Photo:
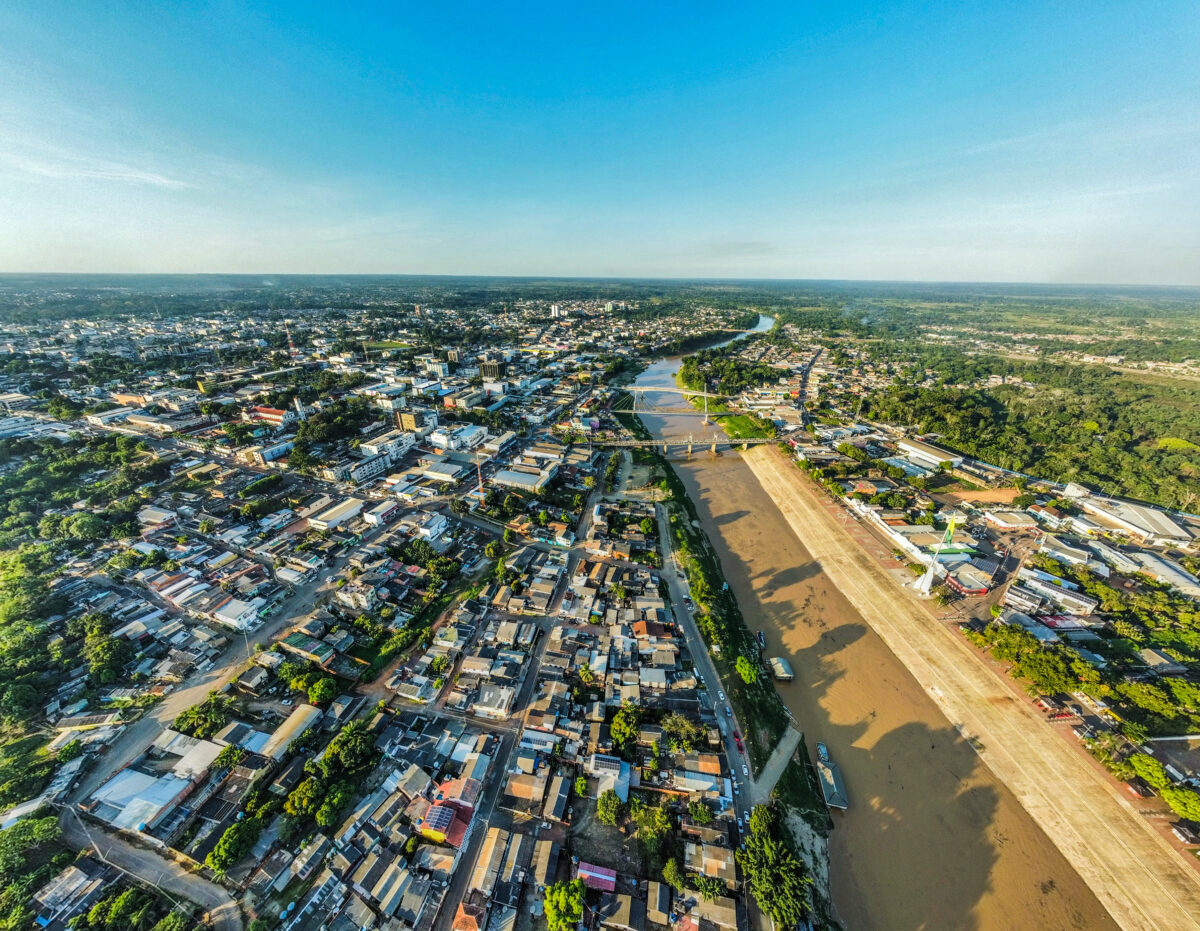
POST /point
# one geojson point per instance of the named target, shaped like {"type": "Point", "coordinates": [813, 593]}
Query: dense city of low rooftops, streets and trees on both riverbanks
{"type": "Point", "coordinates": [382, 612]}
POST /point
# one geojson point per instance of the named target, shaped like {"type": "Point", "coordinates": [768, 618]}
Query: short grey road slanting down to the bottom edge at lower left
{"type": "Point", "coordinates": [151, 868]}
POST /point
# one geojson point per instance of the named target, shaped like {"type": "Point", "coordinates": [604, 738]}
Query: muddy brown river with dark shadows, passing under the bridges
{"type": "Point", "coordinates": [932, 839]}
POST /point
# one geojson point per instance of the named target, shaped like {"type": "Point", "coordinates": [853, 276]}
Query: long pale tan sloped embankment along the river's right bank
{"type": "Point", "coordinates": [1131, 868]}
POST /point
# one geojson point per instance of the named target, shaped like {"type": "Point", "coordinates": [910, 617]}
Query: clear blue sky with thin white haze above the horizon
{"type": "Point", "coordinates": [958, 141]}
